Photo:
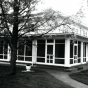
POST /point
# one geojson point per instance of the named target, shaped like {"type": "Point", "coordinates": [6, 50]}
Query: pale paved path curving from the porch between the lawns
{"type": "Point", "coordinates": [64, 76]}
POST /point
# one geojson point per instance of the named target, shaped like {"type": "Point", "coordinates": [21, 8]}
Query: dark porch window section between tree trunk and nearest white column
{"type": "Point", "coordinates": [25, 51]}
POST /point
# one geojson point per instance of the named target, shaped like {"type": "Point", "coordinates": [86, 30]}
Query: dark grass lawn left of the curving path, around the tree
{"type": "Point", "coordinates": [37, 79]}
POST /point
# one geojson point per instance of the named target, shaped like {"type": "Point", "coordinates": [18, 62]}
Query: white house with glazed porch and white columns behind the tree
{"type": "Point", "coordinates": [66, 46]}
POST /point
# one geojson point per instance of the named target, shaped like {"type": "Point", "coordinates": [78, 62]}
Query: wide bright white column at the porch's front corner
{"type": "Point", "coordinates": [67, 52]}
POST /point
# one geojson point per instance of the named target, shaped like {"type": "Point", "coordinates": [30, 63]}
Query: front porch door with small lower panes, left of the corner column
{"type": "Point", "coordinates": [50, 54]}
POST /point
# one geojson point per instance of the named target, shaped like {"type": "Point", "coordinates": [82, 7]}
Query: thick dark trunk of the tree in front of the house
{"type": "Point", "coordinates": [14, 39]}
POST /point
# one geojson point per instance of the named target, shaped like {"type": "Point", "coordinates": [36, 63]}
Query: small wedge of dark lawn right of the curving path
{"type": "Point", "coordinates": [80, 76]}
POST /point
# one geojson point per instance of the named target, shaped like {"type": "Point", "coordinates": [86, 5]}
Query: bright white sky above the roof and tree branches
{"type": "Point", "coordinates": [67, 7]}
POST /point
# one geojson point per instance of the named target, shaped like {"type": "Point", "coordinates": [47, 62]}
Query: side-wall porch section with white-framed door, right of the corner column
{"type": "Point", "coordinates": [75, 52]}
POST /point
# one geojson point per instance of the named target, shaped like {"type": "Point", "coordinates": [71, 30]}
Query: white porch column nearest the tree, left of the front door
{"type": "Point", "coordinates": [34, 51]}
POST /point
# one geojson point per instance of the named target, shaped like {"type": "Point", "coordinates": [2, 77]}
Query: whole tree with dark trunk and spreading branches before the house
{"type": "Point", "coordinates": [17, 20]}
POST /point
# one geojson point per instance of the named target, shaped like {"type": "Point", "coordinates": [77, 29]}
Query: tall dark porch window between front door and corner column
{"type": "Point", "coordinates": [59, 51]}
